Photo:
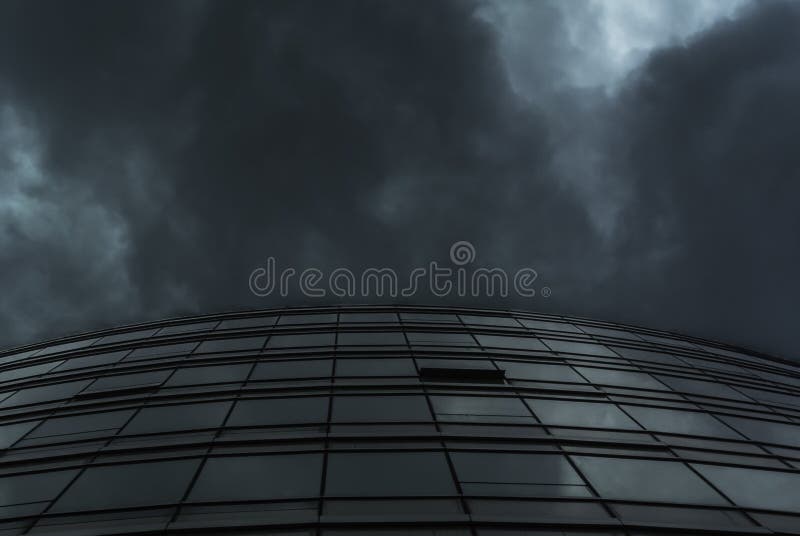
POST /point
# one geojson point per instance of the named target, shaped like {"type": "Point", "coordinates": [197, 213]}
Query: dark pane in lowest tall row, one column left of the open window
{"type": "Point", "coordinates": [388, 473]}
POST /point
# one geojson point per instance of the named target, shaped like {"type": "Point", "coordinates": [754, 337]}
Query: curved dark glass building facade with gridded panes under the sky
{"type": "Point", "coordinates": [396, 420]}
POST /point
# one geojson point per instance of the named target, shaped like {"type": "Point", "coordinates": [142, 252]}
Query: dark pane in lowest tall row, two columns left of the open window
{"type": "Point", "coordinates": [244, 478]}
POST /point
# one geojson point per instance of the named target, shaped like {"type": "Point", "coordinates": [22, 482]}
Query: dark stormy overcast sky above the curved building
{"type": "Point", "coordinates": [640, 155]}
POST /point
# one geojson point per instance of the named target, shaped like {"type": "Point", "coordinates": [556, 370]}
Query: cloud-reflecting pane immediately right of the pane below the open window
{"type": "Point", "coordinates": [575, 413]}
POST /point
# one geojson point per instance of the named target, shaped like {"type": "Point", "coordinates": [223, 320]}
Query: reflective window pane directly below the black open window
{"type": "Point", "coordinates": [484, 408]}
